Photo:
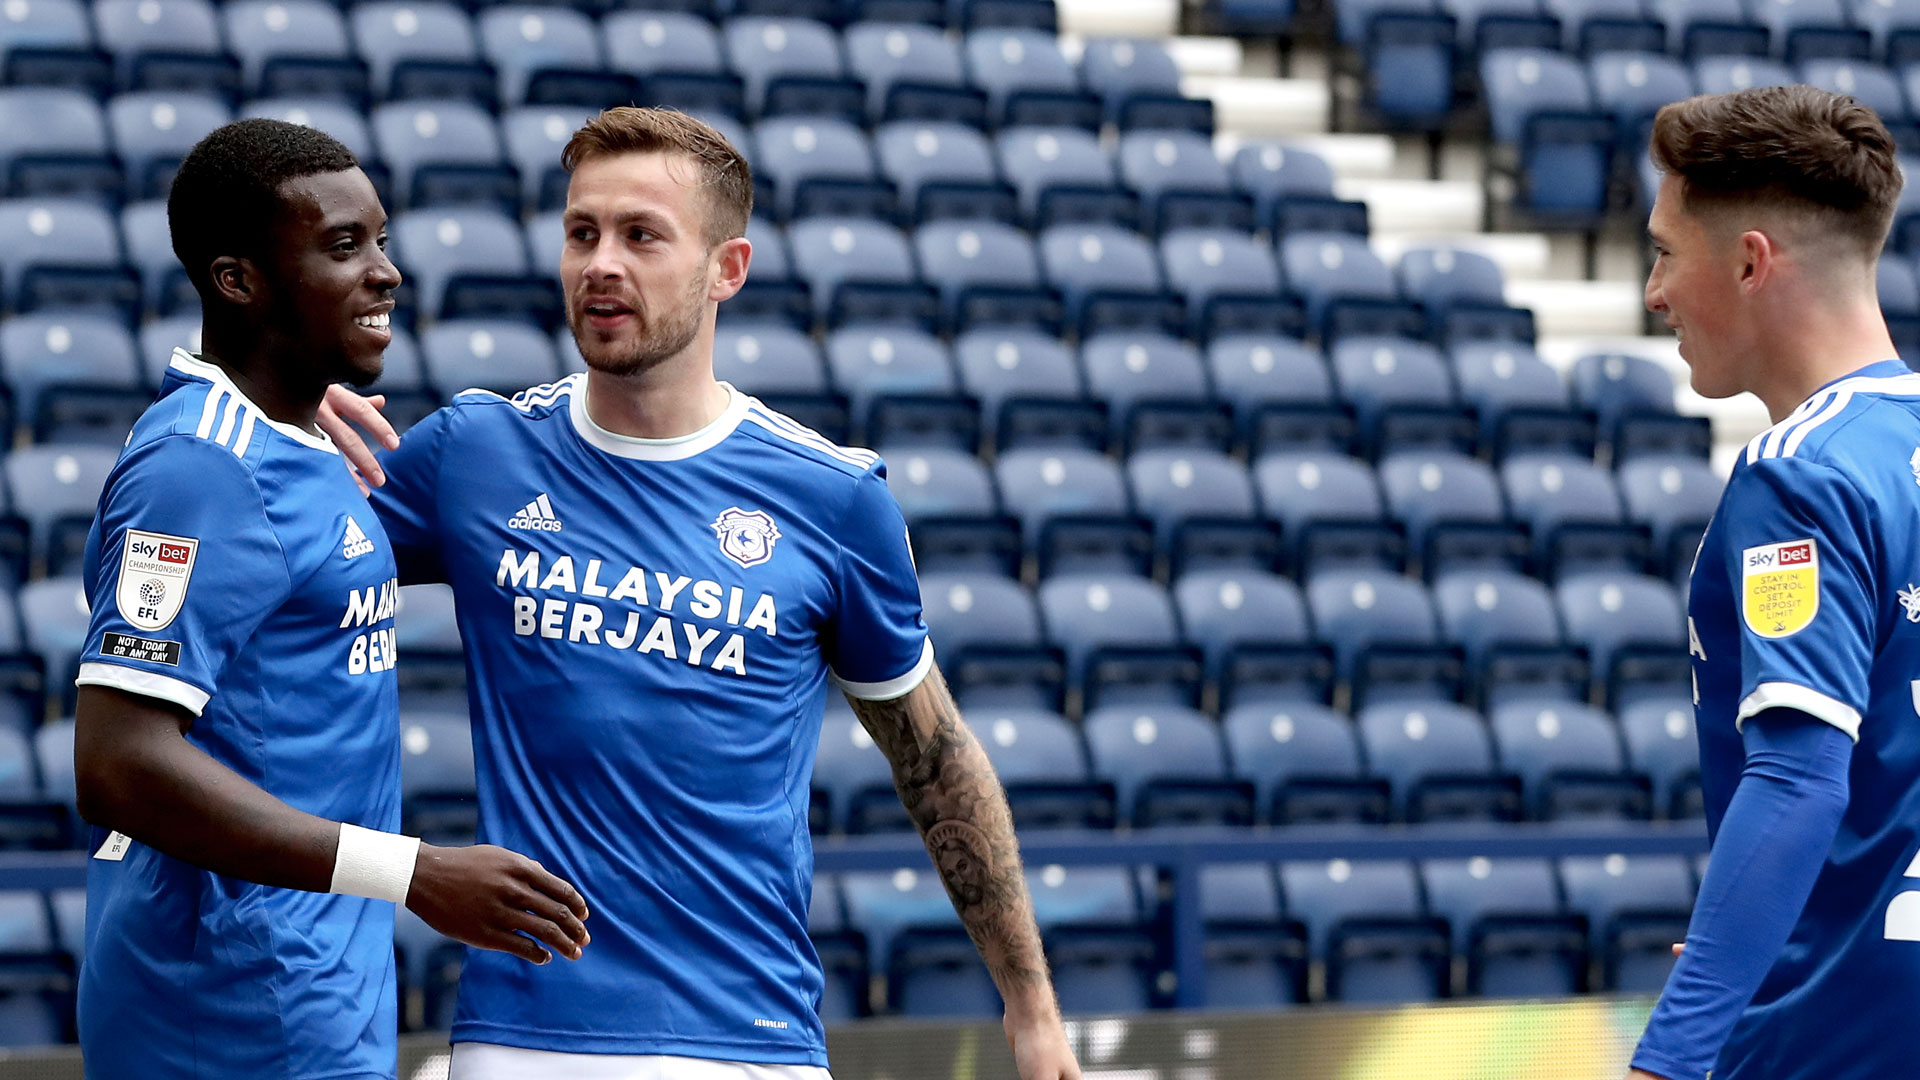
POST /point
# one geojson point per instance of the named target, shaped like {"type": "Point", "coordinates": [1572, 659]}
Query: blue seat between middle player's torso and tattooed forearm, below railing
{"type": "Point", "coordinates": [915, 937]}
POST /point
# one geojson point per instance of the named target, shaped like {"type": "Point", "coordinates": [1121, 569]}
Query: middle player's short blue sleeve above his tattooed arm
{"type": "Point", "coordinates": [878, 637]}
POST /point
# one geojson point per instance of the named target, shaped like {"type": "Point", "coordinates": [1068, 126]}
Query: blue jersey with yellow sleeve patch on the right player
{"type": "Point", "coordinates": [1808, 597]}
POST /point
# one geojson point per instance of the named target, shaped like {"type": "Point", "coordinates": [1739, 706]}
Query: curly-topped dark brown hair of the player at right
{"type": "Point", "coordinates": [1792, 147]}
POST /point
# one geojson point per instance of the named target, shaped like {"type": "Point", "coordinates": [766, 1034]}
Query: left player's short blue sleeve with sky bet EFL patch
{"type": "Point", "coordinates": [189, 568]}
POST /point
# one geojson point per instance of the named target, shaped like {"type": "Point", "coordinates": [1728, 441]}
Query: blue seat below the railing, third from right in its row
{"type": "Point", "coordinates": [1370, 927]}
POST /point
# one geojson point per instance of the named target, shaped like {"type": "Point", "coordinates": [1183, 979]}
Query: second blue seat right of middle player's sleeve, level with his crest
{"type": "Point", "coordinates": [1074, 510]}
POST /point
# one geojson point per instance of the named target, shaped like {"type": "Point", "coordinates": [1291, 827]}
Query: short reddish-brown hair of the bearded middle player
{"type": "Point", "coordinates": [725, 172]}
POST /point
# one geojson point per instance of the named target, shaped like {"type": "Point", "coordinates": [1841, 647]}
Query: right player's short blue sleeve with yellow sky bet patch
{"type": "Point", "coordinates": [1804, 583]}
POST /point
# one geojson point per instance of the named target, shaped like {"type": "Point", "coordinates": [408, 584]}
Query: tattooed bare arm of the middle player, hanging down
{"type": "Point", "coordinates": [959, 806]}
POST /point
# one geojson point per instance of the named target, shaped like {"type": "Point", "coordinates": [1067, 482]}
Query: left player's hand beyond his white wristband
{"type": "Point", "coordinates": [498, 900]}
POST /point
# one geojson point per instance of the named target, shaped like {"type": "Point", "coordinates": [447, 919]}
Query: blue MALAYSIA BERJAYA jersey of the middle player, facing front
{"type": "Point", "coordinates": [650, 629]}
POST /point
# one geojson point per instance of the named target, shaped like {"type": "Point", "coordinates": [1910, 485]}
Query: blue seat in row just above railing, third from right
{"type": "Point", "coordinates": [1439, 760]}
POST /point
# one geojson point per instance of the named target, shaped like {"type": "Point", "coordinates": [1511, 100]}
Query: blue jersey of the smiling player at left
{"type": "Point", "coordinates": [237, 572]}
